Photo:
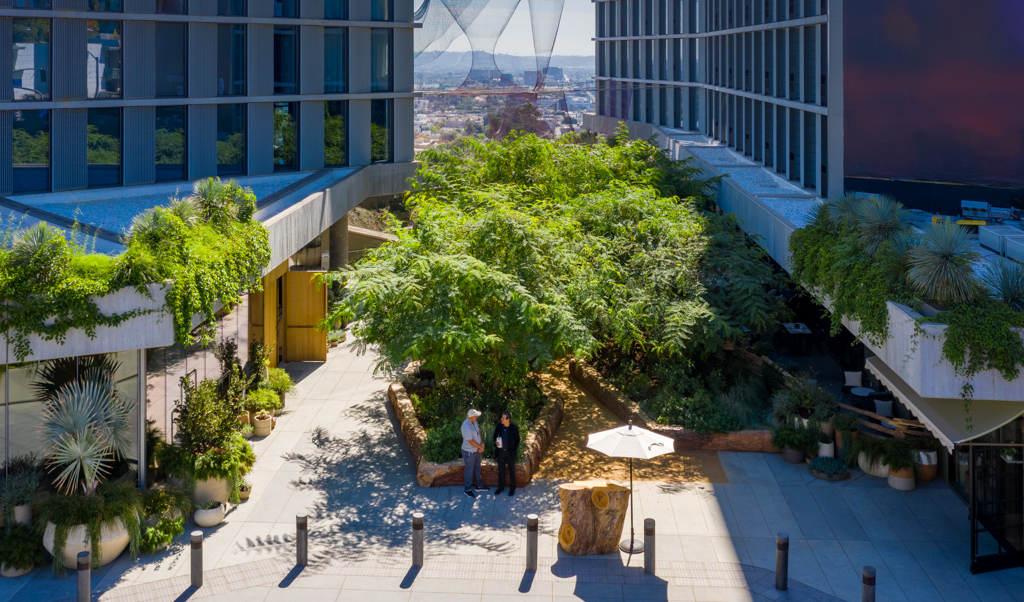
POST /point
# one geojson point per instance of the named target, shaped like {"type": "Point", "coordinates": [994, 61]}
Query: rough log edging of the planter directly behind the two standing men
{"type": "Point", "coordinates": [430, 475]}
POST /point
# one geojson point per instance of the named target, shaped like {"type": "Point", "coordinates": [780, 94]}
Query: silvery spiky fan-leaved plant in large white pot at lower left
{"type": "Point", "coordinates": [88, 424]}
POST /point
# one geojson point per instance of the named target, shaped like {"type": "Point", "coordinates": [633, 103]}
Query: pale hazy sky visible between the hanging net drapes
{"type": "Point", "coordinates": [575, 32]}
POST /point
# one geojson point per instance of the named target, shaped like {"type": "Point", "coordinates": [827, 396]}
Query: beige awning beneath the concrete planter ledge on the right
{"type": "Point", "coordinates": [946, 417]}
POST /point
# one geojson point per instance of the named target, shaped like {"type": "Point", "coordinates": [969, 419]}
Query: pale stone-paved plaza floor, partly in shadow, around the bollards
{"type": "Point", "coordinates": [336, 457]}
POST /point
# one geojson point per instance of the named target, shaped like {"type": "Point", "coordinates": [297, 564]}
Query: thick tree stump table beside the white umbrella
{"type": "Point", "coordinates": [593, 514]}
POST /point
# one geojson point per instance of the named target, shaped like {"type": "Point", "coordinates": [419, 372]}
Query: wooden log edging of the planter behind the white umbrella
{"type": "Point", "coordinates": [626, 410]}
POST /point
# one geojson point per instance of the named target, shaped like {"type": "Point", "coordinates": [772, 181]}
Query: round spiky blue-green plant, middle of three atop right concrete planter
{"type": "Point", "coordinates": [942, 266]}
